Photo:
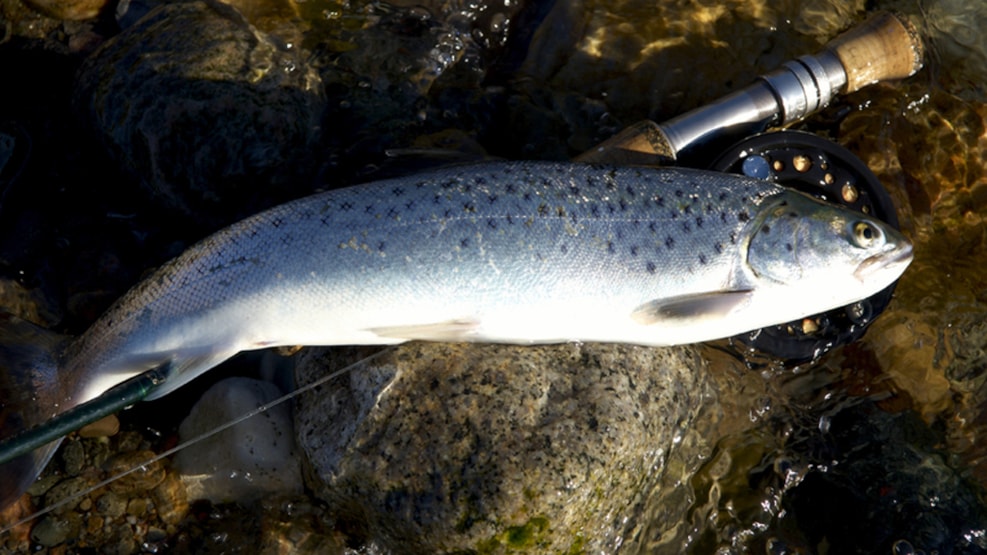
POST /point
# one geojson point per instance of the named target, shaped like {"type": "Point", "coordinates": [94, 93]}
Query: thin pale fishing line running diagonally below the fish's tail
{"type": "Point", "coordinates": [197, 439]}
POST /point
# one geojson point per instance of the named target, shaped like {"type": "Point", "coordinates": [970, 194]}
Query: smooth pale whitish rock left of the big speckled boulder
{"type": "Point", "coordinates": [247, 461]}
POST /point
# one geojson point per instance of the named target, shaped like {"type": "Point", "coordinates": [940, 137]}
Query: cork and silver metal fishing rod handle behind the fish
{"type": "Point", "coordinates": [885, 47]}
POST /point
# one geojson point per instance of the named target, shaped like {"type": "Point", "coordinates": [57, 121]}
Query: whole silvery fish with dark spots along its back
{"type": "Point", "coordinates": [506, 252]}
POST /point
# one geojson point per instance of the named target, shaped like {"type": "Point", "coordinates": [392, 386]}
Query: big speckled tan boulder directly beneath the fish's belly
{"type": "Point", "coordinates": [447, 448]}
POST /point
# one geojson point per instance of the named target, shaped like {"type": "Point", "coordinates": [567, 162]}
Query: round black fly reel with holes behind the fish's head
{"type": "Point", "coordinates": [829, 172]}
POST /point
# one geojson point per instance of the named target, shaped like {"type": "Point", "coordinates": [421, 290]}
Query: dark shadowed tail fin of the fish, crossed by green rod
{"type": "Point", "coordinates": [29, 395]}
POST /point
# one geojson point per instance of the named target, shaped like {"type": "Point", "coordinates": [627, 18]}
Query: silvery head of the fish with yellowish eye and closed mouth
{"type": "Point", "coordinates": [832, 255]}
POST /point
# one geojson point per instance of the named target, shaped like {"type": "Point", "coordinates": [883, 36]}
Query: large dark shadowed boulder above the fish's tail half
{"type": "Point", "coordinates": [205, 108]}
